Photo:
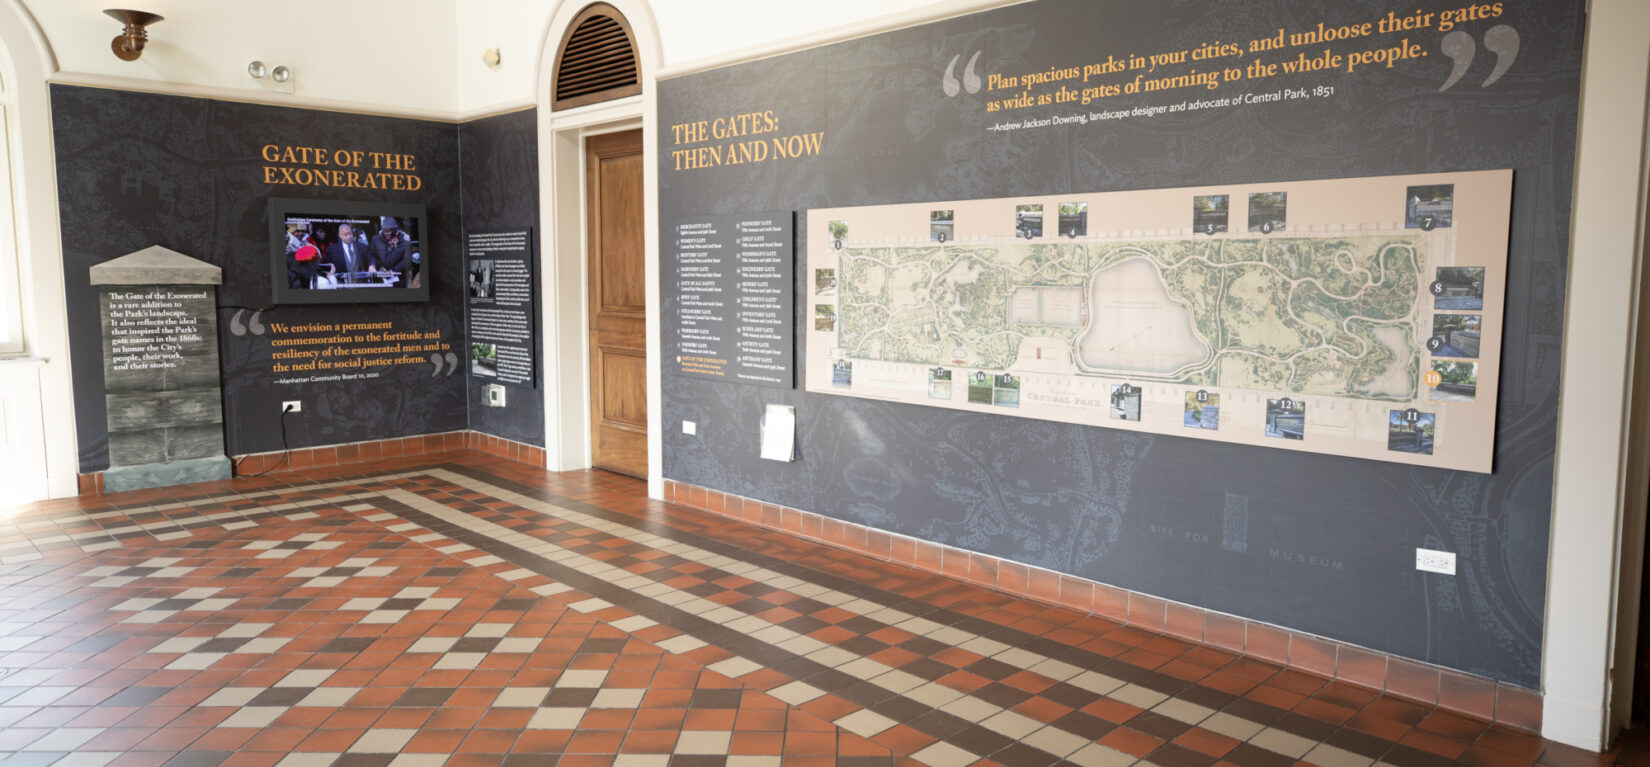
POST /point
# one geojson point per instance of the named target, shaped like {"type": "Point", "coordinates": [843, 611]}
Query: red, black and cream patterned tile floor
{"type": "Point", "coordinates": [460, 609]}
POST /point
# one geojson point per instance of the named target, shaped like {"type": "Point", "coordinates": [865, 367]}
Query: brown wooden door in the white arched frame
{"type": "Point", "coordinates": [618, 299]}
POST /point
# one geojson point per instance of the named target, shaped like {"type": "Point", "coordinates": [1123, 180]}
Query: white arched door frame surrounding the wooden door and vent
{"type": "Point", "coordinates": [563, 215]}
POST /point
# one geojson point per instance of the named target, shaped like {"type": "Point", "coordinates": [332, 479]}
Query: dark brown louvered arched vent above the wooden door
{"type": "Point", "coordinates": [598, 60]}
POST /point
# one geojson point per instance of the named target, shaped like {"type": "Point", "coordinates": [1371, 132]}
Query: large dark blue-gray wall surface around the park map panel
{"type": "Point", "coordinates": [1316, 543]}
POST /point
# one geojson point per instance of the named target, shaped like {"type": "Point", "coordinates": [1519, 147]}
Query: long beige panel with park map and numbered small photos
{"type": "Point", "coordinates": [1354, 318]}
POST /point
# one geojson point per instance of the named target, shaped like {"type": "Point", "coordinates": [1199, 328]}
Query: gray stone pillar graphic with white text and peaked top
{"type": "Point", "coordinates": [161, 370]}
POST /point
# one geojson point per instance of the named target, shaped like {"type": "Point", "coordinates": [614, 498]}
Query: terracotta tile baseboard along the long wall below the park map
{"type": "Point", "coordinates": [1463, 694]}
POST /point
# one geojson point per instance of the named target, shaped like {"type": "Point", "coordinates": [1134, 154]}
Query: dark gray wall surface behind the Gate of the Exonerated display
{"type": "Point", "coordinates": [186, 174]}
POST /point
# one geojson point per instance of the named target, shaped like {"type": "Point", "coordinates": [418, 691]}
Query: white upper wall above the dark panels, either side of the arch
{"type": "Point", "coordinates": [395, 57]}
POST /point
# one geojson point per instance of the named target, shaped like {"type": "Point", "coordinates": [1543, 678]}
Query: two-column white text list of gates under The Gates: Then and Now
{"type": "Point", "coordinates": [735, 304]}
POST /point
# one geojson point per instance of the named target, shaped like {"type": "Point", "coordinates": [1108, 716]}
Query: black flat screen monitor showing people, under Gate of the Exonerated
{"type": "Point", "coordinates": [334, 252]}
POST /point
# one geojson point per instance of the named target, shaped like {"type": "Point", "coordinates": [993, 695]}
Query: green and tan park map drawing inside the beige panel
{"type": "Point", "coordinates": [1327, 314]}
